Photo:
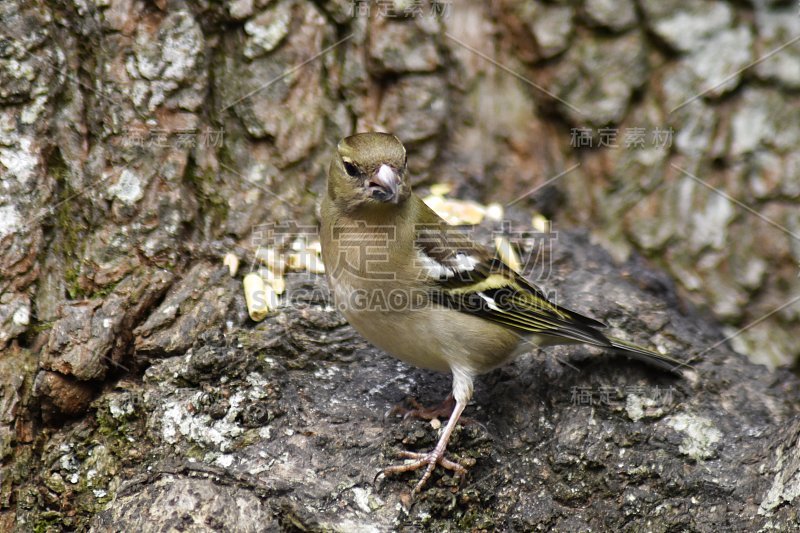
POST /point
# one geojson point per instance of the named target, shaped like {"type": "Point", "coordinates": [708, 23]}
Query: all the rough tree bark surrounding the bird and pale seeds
{"type": "Point", "coordinates": [140, 141]}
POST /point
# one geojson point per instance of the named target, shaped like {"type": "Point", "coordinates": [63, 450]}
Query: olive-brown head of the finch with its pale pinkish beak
{"type": "Point", "coordinates": [369, 169]}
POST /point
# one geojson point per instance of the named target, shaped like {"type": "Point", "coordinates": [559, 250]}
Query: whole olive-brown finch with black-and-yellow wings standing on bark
{"type": "Point", "coordinates": [426, 293]}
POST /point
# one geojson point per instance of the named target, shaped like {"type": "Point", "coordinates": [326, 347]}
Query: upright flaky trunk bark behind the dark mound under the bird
{"type": "Point", "coordinates": [139, 137]}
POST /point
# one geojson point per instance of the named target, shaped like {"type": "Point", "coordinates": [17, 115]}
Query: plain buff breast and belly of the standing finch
{"type": "Point", "coordinates": [382, 292]}
